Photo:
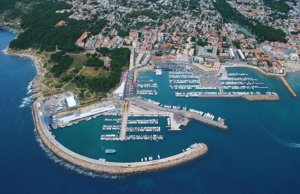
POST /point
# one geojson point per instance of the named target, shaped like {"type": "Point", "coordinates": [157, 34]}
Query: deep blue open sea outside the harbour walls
{"type": "Point", "coordinates": [260, 153]}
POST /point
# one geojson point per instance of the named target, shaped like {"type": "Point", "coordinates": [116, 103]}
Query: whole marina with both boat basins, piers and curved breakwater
{"type": "Point", "coordinates": [146, 110]}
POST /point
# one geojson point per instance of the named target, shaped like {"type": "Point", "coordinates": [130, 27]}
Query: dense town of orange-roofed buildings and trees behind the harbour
{"type": "Point", "coordinates": [196, 36]}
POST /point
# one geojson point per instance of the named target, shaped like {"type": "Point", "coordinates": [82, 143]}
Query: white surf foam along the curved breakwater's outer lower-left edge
{"type": "Point", "coordinates": [69, 166]}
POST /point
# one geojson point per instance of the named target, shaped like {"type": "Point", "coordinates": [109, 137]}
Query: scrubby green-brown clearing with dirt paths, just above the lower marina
{"type": "Point", "coordinates": [71, 71]}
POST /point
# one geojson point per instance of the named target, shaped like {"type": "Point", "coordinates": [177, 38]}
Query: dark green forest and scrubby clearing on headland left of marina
{"type": "Point", "coordinates": [67, 66]}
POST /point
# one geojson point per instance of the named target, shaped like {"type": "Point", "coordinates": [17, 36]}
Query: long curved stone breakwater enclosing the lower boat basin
{"type": "Point", "coordinates": [114, 168]}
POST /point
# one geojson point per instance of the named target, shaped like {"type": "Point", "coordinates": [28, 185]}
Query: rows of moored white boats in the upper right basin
{"type": "Point", "coordinates": [186, 84]}
